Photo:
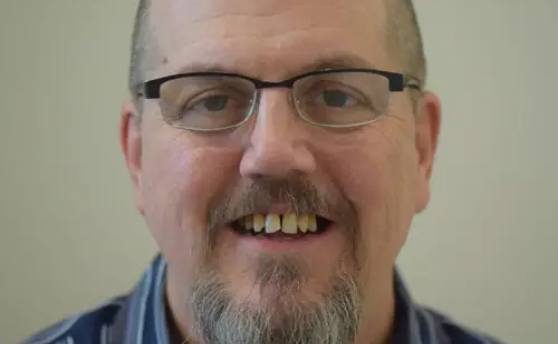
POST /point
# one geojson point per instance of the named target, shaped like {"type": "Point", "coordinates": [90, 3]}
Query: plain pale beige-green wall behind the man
{"type": "Point", "coordinates": [484, 252]}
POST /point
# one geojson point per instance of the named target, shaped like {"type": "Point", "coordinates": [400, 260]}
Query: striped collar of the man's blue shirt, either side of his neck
{"type": "Point", "coordinates": [147, 322]}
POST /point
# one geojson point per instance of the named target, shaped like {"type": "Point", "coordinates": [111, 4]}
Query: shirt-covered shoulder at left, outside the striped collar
{"type": "Point", "coordinates": [87, 327]}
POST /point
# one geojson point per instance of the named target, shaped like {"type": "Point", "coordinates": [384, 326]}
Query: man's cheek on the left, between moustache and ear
{"type": "Point", "coordinates": [179, 178]}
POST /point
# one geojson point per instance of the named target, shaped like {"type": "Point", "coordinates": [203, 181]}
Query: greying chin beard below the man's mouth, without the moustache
{"type": "Point", "coordinates": [282, 316]}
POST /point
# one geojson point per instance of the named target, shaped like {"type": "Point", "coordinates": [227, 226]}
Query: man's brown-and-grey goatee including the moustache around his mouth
{"type": "Point", "coordinates": [283, 314]}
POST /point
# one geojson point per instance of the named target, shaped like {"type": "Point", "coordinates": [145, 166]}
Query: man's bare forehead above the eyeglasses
{"type": "Point", "coordinates": [266, 38]}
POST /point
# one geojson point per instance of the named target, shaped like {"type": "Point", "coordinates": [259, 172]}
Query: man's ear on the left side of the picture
{"type": "Point", "coordinates": [130, 143]}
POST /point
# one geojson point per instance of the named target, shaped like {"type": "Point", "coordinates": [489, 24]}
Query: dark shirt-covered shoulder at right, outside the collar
{"type": "Point", "coordinates": [448, 331]}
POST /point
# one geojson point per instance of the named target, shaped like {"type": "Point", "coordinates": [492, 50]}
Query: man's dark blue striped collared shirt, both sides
{"type": "Point", "coordinates": [140, 318]}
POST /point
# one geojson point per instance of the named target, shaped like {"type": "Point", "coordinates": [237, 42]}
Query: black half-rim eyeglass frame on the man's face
{"type": "Point", "coordinates": [397, 83]}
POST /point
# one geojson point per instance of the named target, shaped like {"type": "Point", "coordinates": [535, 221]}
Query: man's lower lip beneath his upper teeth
{"type": "Point", "coordinates": [285, 243]}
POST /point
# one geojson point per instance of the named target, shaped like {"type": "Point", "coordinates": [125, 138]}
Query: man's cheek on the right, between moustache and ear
{"type": "Point", "coordinates": [379, 176]}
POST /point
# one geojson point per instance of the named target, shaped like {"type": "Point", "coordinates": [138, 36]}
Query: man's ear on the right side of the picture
{"type": "Point", "coordinates": [427, 129]}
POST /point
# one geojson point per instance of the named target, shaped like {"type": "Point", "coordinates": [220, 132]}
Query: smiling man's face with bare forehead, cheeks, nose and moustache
{"type": "Point", "coordinates": [363, 184]}
